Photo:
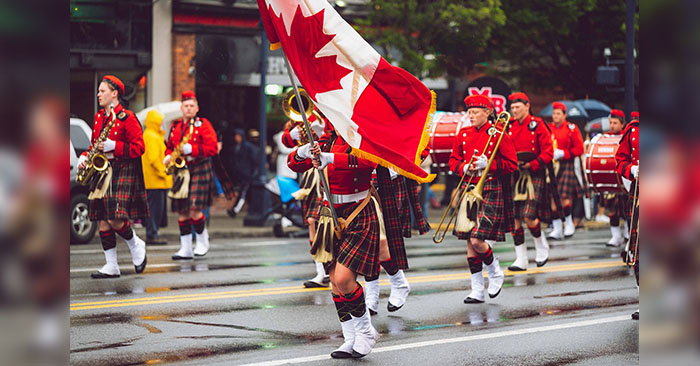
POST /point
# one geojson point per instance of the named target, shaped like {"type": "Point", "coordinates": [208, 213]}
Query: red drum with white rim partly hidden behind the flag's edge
{"type": "Point", "coordinates": [442, 136]}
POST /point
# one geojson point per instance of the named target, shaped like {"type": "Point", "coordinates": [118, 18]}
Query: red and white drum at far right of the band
{"type": "Point", "coordinates": [600, 165]}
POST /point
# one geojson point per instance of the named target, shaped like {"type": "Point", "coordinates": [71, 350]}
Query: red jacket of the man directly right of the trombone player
{"type": "Point", "coordinates": [533, 135]}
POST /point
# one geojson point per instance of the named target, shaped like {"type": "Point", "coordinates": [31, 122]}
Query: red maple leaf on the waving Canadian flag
{"type": "Point", "coordinates": [316, 74]}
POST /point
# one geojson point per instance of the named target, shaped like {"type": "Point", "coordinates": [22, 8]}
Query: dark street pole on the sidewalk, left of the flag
{"type": "Point", "coordinates": [260, 200]}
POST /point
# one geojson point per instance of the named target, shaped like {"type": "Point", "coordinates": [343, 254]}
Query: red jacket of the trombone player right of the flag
{"type": "Point", "coordinates": [471, 138]}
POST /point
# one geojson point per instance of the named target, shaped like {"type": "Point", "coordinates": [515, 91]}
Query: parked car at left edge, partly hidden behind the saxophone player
{"type": "Point", "coordinates": [82, 230]}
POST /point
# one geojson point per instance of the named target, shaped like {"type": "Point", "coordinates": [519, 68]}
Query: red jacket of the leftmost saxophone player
{"type": "Point", "coordinates": [126, 133]}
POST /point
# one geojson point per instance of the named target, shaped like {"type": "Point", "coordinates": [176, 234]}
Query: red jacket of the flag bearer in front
{"type": "Point", "coordinates": [347, 175]}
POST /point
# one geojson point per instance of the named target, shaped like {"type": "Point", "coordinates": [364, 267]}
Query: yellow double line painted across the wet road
{"type": "Point", "coordinates": [297, 289]}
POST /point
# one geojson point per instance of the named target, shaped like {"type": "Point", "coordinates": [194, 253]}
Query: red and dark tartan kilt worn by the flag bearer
{"type": "Point", "coordinates": [358, 250]}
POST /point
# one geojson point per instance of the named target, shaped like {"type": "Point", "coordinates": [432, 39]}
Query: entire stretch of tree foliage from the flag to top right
{"type": "Point", "coordinates": [544, 43]}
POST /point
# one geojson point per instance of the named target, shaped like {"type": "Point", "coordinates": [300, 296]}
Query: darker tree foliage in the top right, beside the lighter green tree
{"type": "Point", "coordinates": [559, 43]}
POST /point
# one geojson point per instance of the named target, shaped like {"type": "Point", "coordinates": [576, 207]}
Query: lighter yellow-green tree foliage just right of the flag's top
{"type": "Point", "coordinates": [455, 32]}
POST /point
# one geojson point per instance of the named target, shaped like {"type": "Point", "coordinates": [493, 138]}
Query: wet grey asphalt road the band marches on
{"type": "Point", "coordinates": [243, 303]}
